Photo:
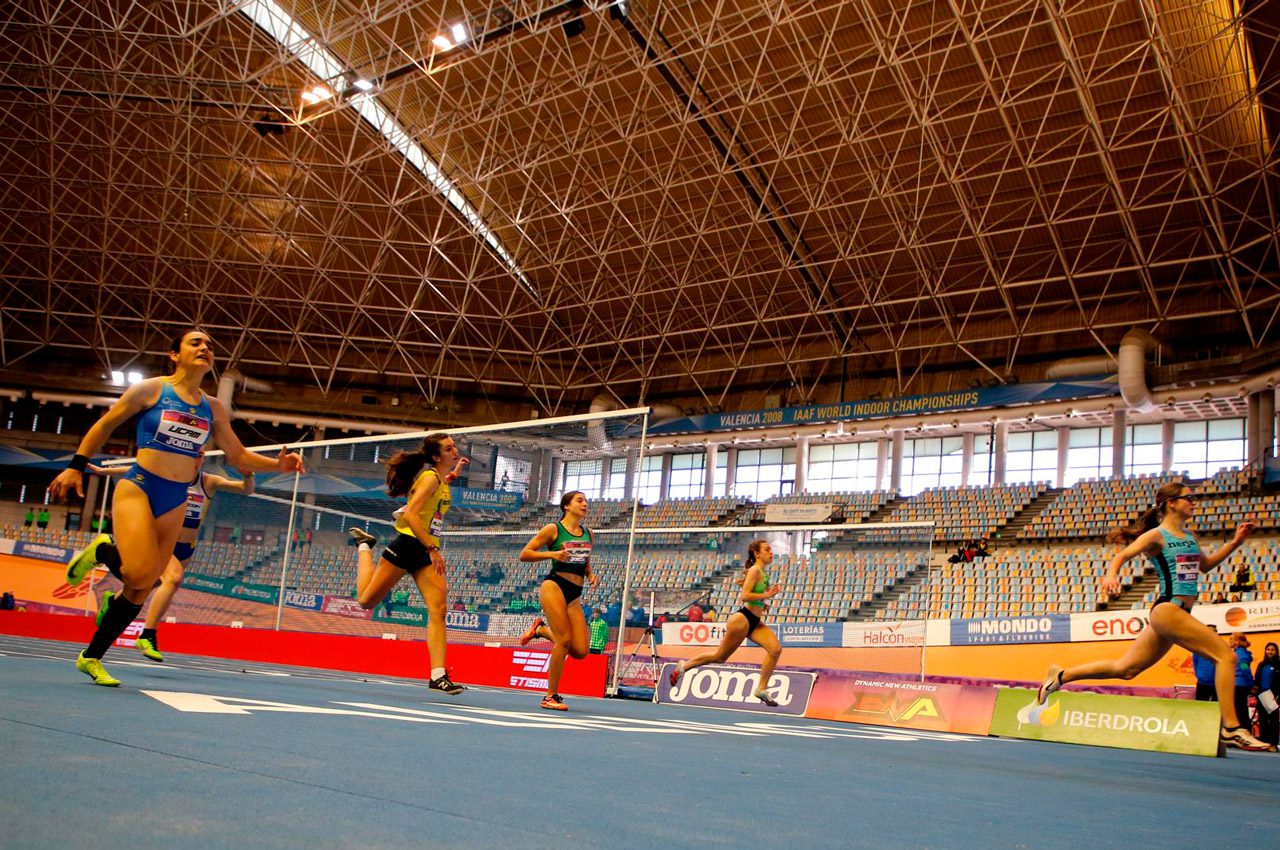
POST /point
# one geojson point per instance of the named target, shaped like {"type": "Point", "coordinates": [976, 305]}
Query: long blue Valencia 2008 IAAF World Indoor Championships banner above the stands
{"type": "Point", "coordinates": [886, 408]}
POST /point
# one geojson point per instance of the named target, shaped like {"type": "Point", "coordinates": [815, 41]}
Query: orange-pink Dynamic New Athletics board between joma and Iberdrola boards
{"type": "Point", "coordinates": [884, 702]}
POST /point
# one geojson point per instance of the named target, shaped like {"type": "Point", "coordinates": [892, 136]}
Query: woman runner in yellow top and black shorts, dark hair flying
{"type": "Point", "coordinates": [424, 477]}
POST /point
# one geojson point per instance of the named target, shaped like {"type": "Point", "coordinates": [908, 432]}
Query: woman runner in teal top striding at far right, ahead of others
{"type": "Point", "coordinates": [1180, 563]}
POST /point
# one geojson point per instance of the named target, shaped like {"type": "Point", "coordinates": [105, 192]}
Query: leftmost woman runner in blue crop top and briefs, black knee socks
{"type": "Point", "coordinates": [176, 421]}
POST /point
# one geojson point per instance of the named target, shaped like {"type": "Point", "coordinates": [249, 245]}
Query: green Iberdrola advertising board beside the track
{"type": "Point", "coordinates": [1104, 720]}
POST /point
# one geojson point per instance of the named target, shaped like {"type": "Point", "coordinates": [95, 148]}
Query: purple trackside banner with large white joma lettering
{"type": "Point", "coordinates": [715, 687]}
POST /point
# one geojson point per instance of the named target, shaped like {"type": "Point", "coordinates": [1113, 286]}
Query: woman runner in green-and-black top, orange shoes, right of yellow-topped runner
{"type": "Point", "coordinates": [569, 546]}
